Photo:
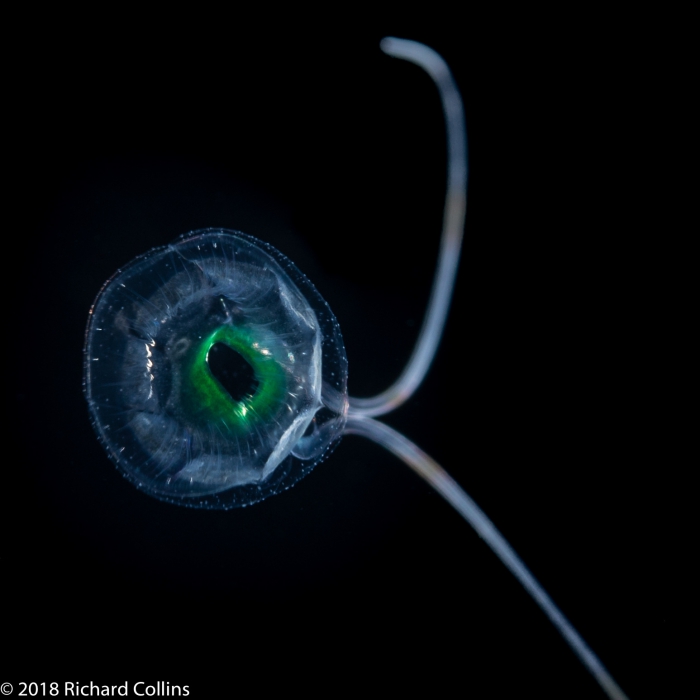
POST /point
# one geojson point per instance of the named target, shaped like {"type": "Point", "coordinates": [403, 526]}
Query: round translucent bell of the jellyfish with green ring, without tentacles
{"type": "Point", "coordinates": [215, 373]}
